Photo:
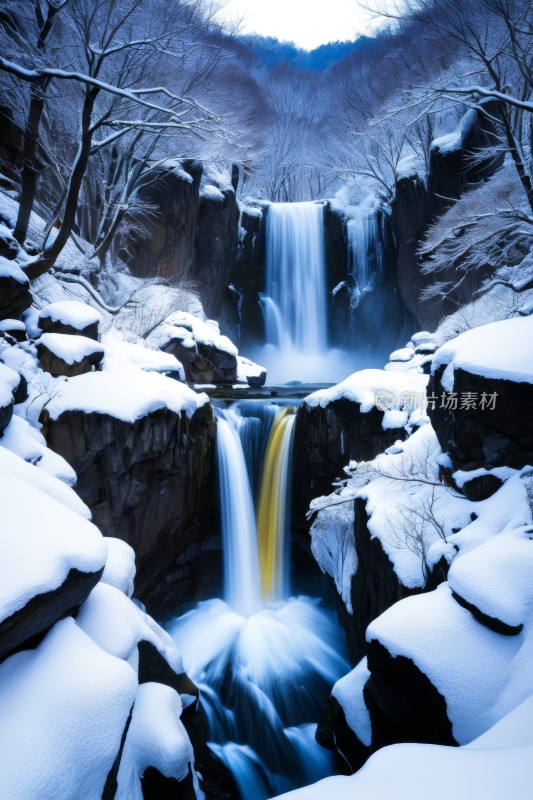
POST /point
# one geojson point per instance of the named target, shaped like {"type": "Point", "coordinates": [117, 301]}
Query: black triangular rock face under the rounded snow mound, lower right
{"type": "Point", "coordinates": [404, 705]}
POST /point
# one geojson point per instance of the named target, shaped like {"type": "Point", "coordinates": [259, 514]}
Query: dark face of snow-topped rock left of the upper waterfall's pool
{"type": "Point", "coordinates": [204, 363]}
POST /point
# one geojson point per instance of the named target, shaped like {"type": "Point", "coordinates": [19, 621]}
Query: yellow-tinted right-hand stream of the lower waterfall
{"type": "Point", "coordinates": [273, 519]}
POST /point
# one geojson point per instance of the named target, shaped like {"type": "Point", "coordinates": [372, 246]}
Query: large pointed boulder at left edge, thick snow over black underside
{"type": "Point", "coordinates": [52, 556]}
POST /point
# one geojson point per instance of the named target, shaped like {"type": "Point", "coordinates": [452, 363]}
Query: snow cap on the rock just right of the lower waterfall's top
{"type": "Point", "coordinates": [365, 386]}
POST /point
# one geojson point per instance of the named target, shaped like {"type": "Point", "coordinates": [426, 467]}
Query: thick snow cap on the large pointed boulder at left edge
{"type": "Point", "coordinates": [42, 540]}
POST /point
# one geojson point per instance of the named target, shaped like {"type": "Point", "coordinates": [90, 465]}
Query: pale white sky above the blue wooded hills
{"type": "Point", "coordinates": [307, 23]}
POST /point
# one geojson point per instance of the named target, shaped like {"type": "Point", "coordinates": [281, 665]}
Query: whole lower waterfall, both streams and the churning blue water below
{"type": "Point", "coordinates": [264, 661]}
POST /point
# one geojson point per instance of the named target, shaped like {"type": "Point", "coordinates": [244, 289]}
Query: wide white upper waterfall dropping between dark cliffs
{"type": "Point", "coordinates": [296, 276]}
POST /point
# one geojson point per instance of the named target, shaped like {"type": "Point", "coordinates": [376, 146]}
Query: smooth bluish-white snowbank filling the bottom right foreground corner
{"type": "Point", "coordinates": [498, 764]}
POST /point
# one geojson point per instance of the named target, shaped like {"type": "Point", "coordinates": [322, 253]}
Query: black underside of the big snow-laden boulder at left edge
{"type": "Point", "coordinates": [25, 627]}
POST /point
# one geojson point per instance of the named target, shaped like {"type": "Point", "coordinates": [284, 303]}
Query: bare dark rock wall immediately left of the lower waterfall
{"type": "Point", "coordinates": [148, 483]}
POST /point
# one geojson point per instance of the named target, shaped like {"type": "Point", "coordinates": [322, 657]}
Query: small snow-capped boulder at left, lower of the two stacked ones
{"type": "Point", "coordinates": [61, 354]}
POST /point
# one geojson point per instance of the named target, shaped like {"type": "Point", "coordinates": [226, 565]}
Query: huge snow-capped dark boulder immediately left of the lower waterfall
{"type": "Point", "coordinates": [142, 446]}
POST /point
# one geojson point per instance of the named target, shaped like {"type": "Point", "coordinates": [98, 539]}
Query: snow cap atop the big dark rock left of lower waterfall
{"type": "Point", "coordinates": [124, 394]}
